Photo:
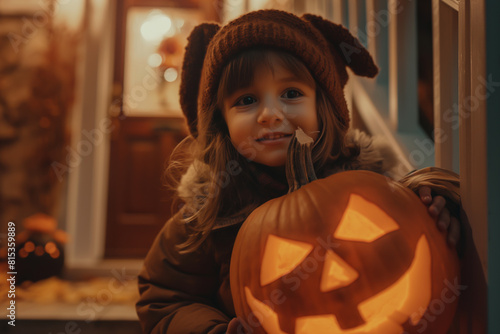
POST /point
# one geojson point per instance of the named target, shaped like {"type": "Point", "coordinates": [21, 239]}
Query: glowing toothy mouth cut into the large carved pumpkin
{"type": "Point", "coordinates": [380, 312]}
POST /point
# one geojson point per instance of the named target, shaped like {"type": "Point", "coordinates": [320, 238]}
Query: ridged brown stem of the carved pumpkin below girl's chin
{"type": "Point", "coordinates": [299, 166]}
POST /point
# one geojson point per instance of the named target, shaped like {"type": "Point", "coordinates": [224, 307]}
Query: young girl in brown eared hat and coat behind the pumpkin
{"type": "Point", "coordinates": [246, 87]}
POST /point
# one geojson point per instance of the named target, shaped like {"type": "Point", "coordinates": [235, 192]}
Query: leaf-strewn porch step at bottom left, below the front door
{"type": "Point", "coordinates": [97, 299]}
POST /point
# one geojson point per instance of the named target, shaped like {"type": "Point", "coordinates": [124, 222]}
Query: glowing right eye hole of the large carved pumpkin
{"type": "Point", "coordinates": [364, 221]}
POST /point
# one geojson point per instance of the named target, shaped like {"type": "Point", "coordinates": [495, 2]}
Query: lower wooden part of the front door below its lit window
{"type": "Point", "coordinates": [139, 203]}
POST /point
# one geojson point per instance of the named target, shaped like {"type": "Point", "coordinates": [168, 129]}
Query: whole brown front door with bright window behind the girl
{"type": "Point", "coordinates": [147, 122]}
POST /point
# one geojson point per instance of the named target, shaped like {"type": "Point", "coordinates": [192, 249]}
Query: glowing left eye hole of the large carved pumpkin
{"type": "Point", "coordinates": [281, 256]}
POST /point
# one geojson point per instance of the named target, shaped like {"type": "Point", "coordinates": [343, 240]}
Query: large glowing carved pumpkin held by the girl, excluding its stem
{"type": "Point", "coordinates": [351, 253]}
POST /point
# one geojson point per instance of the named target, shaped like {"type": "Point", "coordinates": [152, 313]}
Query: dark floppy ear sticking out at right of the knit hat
{"type": "Point", "coordinates": [348, 47]}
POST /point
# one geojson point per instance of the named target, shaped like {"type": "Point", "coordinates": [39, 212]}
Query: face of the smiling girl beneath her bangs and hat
{"type": "Point", "coordinates": [262, 116]}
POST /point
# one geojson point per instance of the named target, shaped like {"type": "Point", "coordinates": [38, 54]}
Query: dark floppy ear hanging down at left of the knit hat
{"type": "Point", "coordinates": [192, 67]}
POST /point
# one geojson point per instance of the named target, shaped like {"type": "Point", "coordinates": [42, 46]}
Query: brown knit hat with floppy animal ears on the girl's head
{"type": "Point", "coordinates": [325, 48]}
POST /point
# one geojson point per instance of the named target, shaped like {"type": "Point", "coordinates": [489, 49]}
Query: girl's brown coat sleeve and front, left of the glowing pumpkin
{"type": "Point", "coordinates": [186, 293]}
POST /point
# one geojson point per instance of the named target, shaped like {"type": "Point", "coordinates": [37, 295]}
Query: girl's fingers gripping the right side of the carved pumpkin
{"type": "Point", "coordinates": [437, 209]}
